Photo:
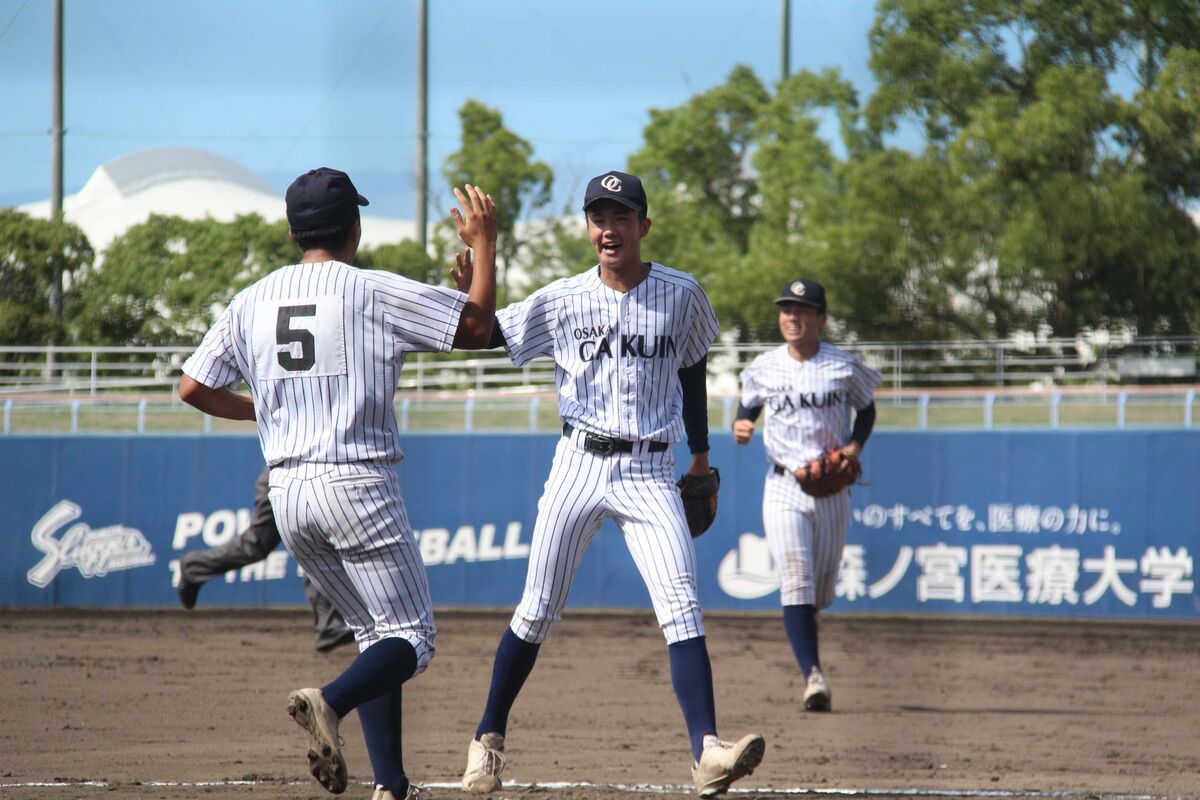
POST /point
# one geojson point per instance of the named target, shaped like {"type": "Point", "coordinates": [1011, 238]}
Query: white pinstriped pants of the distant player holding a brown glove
{"type": "Point", "coordinates": [806, 537]}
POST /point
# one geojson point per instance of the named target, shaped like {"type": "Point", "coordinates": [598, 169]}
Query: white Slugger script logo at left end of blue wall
{"type": "Point", "coordinates": [95, 552]}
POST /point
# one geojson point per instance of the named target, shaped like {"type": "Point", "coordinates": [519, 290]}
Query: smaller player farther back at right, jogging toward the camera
{"type": "Point", "coordinates": [809, 388]}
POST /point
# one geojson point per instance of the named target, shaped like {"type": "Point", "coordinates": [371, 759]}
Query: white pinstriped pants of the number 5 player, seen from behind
{"type": "Point", "coordinates": [349, 528]}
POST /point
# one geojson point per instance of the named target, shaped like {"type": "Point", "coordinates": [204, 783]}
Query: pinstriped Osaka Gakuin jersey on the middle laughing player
{"type": "Point", "coordinates": [616, 354]}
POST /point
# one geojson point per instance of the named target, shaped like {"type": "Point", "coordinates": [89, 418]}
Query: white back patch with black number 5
{"type": "Point", "coordinates": [301, 338]}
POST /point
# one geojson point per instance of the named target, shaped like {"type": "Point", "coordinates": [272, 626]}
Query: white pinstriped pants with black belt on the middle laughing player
{"type": "Point", "coordinates": [639, 492]}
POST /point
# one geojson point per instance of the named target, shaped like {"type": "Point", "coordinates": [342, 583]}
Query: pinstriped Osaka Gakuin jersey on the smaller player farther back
{"type": "Point", "coordinates": [808, 402]}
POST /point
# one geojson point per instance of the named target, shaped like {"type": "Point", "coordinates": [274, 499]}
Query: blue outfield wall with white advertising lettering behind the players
{"type": "Point", "coordinates": [1047, 524]}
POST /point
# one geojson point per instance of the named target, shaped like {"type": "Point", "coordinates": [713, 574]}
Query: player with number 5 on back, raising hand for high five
{"type": "Point", "coordinates": [321, 345]}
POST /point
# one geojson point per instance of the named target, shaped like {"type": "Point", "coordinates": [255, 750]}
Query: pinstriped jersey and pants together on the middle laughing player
{"type": "Point", "coordinates": [617, 358]}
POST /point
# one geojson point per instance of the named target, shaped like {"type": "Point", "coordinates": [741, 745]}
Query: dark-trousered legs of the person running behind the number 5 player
{"type": "Point", "coordinates": [251, 546]}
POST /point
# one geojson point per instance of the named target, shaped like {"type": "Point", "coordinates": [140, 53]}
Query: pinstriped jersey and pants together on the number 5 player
{"type": "Point", "coordinates": [321, 347]}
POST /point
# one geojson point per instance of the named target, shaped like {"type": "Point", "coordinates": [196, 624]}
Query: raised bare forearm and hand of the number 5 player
{"type": "Point", "coordinates": [477, 228]}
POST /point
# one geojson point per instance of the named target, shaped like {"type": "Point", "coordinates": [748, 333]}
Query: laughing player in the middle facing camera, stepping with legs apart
{"type": "Point", "coordinates": [629, 340]}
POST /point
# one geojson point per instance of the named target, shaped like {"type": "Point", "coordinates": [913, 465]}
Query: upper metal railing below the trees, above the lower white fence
{"type": "Point", "coordinates": [1085, 360]}
